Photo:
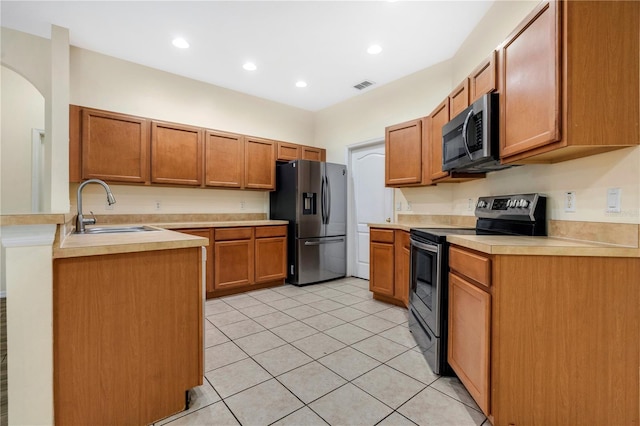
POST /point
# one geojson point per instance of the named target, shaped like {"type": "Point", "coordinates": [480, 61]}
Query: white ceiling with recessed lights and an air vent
{"type": "Point", "coordinates": [321, 42]}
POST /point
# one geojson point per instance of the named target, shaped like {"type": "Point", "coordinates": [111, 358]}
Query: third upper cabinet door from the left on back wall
{"type": "Point", "coordinates": [224, 159]}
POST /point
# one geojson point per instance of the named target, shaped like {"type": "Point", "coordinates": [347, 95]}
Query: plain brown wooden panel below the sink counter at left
{"type": "Point", "coordinates": [127, 335]}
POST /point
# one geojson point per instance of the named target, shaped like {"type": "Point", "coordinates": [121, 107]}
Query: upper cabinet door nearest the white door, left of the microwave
{"type": "Point", "coordinates": [403, 153]}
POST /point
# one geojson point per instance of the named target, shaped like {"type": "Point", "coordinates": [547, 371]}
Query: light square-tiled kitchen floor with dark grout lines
{"type": "Point", "coordinates": [316, 355]}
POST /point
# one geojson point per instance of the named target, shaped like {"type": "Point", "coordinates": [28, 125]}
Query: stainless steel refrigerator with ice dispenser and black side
{"type": "Point", "coordinates": [312, 196]}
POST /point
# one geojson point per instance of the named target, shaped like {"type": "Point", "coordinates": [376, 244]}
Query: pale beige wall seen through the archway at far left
{"type": "Point", "coordinates": [22, 110]}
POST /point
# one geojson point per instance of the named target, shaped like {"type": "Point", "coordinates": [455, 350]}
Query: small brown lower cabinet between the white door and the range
{"type": "Point", "coordinates": [389, 265]}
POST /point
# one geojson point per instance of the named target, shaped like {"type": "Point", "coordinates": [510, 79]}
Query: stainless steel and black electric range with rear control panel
{"type": "Point", "coordinates": [518, 214]}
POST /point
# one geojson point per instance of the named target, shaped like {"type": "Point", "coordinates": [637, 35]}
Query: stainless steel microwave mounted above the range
{"type": "Point", "coordinates": [470, 140]}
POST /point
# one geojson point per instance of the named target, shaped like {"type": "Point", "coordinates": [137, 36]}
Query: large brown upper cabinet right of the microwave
{"type": "Point", "coordinates": [569, 81]}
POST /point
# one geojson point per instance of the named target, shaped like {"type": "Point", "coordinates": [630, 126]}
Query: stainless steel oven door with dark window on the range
{"type": "Point", "coordinates": [426, 283]}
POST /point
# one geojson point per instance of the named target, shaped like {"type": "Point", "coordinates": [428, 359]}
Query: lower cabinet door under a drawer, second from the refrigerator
{"type": "Point", "coordinates": [233, 263]}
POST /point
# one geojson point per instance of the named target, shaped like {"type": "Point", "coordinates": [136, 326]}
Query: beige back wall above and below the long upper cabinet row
{"type": "Point", "coordinates": [104, 82]}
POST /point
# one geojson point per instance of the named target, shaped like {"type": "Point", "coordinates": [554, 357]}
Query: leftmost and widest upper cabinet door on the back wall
{"type": "Point", "coordinates": [115, 147]}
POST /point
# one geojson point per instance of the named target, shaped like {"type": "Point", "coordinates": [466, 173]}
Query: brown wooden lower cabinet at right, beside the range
{"type": "Point", "coordinates": [548, 340]}
